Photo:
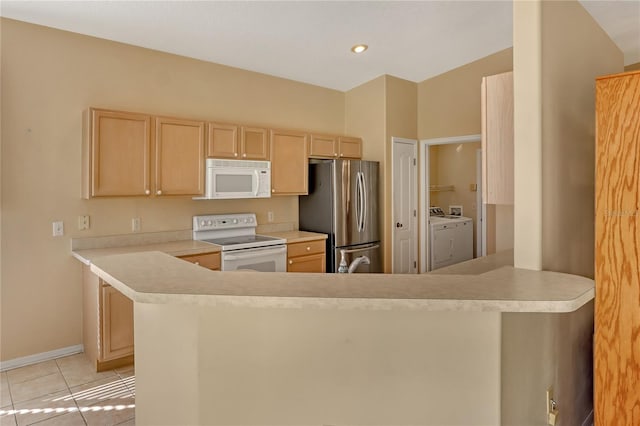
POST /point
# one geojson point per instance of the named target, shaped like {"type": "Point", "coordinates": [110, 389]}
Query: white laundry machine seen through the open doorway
{"type": "Point", "coordinates": [451, 238]}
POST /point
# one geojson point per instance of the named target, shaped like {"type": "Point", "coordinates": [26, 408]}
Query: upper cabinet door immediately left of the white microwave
{"type": "Point", "coordinates": [179, 166]}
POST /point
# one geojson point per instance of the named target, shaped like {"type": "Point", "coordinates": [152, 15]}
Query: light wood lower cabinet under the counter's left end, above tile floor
{"type": "Point", "coordinates": [107, 324]}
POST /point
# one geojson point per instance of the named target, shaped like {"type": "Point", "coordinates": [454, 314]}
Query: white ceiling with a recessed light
{"type": "Point", "coordinates": [310, 41]}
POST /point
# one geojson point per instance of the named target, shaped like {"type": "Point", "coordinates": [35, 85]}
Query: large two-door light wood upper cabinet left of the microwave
{"type": "Point", "coordinates": [119, 147]}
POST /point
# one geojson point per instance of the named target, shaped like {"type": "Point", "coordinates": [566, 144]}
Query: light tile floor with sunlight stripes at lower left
{"type": "Point", "coordinates": [67, 391]}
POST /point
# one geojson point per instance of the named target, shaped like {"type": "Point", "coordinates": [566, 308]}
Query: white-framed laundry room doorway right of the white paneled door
{"type": "Point", "coordinates": [451, 181]}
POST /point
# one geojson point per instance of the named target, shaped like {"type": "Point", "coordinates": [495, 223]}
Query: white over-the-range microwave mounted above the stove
{"type": "Point", "coordinates": [236, 179]}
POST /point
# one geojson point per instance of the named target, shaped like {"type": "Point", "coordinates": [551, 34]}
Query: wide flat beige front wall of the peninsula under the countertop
{"type": "Point", "coordinates": [316, 366]}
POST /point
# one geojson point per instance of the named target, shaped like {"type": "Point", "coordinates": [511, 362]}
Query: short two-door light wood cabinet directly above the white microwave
{"type": "Point", "coordinates": [241, 143]}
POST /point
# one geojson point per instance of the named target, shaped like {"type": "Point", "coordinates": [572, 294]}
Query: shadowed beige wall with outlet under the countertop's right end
{"type": "Point", "coordinates": [541, 350]}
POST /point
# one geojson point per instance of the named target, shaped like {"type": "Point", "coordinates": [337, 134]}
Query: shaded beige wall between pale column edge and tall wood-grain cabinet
{"type": "Point", "coordinates": [568, 132]}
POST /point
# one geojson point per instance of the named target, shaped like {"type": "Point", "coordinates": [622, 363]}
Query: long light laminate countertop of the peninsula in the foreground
{"type": "Point", "coordinates": [155, 277]}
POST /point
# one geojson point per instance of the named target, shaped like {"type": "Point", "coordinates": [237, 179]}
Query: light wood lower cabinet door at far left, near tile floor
{"type": "Point", "coordinates": [117, 324]}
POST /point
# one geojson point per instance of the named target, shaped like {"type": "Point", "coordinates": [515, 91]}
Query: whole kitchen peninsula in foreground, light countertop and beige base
{"type": "Point", "coordinates": [286, 348]}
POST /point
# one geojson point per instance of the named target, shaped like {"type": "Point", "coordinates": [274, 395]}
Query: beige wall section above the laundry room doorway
{"type": "Point", "coordinates": [449, 104]}
